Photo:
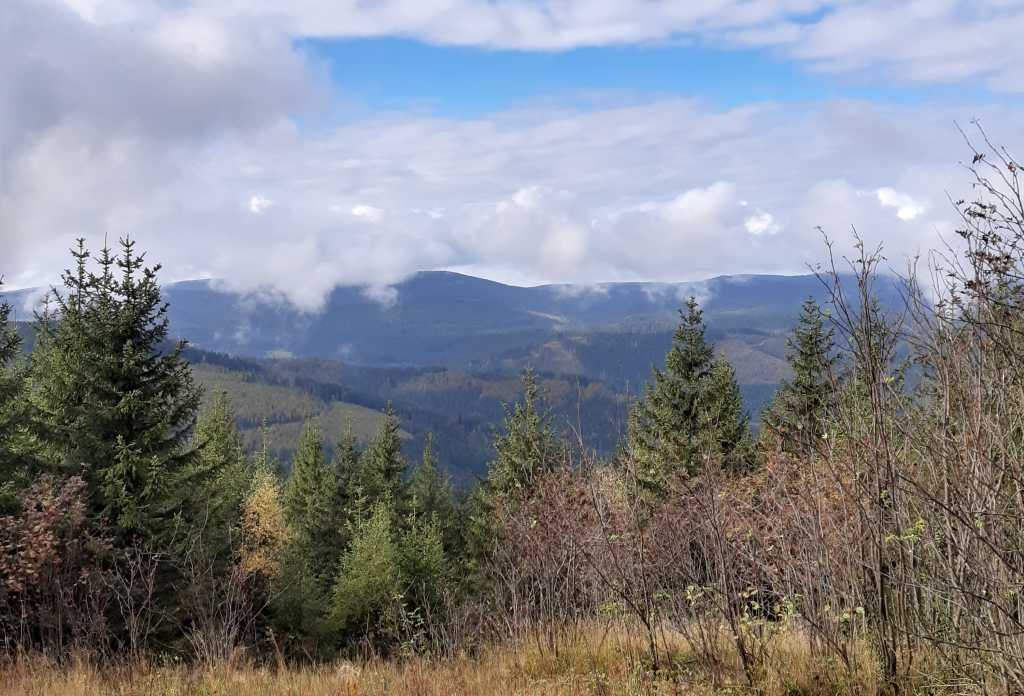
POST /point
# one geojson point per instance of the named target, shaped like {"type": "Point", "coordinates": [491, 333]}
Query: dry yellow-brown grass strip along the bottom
{"type": "Point", "coordinates": [595, 661]}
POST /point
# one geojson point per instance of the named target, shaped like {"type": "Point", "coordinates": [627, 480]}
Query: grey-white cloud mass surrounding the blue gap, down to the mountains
{"type": "Point", "coordinates": [177, 126]}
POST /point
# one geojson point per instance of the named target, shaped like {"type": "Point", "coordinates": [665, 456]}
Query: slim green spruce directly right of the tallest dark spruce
{"type": "Point", "coordinates": [222, 459]}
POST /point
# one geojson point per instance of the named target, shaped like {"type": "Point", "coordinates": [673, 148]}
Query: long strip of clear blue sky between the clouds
{"type": "Point", "coordinates": [406, 75]}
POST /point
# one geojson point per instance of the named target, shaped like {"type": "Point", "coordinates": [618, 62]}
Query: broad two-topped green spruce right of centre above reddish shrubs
{"type": "Point", "coordinates": [692, 410]}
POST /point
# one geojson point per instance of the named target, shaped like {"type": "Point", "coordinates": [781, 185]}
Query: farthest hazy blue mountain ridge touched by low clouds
{"type": "Point", "coordinates": [446, 319]}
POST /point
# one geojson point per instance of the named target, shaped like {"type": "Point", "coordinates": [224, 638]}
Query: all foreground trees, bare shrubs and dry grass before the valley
{"type": "Point", "coordinates": [870, 540]}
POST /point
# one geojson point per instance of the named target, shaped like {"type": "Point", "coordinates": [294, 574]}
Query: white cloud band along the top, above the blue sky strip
{"type": "Point", "coordinates": [926, 41]}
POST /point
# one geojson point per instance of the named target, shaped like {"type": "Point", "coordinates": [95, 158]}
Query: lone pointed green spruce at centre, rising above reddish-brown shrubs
{"type": "Point", "coordinates": [529, 446]}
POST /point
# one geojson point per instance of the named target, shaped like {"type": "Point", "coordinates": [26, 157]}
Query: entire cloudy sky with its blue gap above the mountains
{"type": "Point", "coordinates": [293, 147]}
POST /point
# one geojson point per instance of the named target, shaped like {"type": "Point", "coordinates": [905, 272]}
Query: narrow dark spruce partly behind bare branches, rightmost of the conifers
{"type": "Point", "coordinates": [798, 414]}
